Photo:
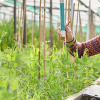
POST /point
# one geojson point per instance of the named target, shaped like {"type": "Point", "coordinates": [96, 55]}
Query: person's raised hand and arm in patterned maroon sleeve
{"type": "Point", "coordinates": [92, 45]}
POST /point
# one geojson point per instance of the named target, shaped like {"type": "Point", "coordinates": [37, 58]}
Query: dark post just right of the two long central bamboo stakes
{"type": "Point", "coordinates": [51, 28]}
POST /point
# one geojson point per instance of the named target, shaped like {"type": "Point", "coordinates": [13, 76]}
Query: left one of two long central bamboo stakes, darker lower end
{"type": "Point", "coordinates": [39, 39]}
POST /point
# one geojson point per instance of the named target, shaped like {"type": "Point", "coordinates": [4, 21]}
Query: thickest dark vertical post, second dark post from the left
{"type": "Point", "coordinates": [24, 31]}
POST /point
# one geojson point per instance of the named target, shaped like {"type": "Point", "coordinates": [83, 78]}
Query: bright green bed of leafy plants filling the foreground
{"type": "Point", "coordinates": [19, 74]}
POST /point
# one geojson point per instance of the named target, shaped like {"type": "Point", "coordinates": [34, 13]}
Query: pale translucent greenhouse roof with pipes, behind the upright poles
{"type": "Point", "coordinates": [6, 7]}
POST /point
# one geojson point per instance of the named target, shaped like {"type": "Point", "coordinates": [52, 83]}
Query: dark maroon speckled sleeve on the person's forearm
{"type": "Point", "coordinates": [92, 45]}
